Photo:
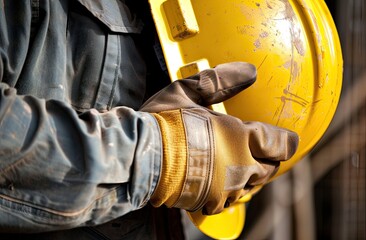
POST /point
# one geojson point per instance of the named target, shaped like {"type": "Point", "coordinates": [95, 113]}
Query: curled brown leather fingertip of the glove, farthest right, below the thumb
{"type": "Point", "coordinates": [270, 142]}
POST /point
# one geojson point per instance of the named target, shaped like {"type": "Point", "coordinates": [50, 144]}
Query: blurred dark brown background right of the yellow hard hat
{"type": "Point", "coordinates": [323, 196]}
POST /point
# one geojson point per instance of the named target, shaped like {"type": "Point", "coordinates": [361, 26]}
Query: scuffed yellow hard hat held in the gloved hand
{"type": "Point", "coordinates": [296, 49]}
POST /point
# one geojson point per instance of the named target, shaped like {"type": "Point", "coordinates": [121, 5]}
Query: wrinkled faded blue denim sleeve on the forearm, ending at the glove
{"type": "Point", "coordinates": [60, 169]}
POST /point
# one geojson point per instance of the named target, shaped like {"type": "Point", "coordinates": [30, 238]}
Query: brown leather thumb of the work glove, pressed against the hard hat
{"type": "Point", "coordinates": [205, 88]}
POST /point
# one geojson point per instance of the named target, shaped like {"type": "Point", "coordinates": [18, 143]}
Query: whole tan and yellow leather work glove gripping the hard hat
{"type": "Point", "coordinates": [210, 159]}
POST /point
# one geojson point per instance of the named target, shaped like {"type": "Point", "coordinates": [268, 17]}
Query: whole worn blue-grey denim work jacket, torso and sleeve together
{"type": "Point", "coordinates": [74, 150]}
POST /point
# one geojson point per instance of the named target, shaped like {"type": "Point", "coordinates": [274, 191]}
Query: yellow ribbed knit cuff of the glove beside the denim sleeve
{"type": "Point", "coordinates": [173, 172]}
